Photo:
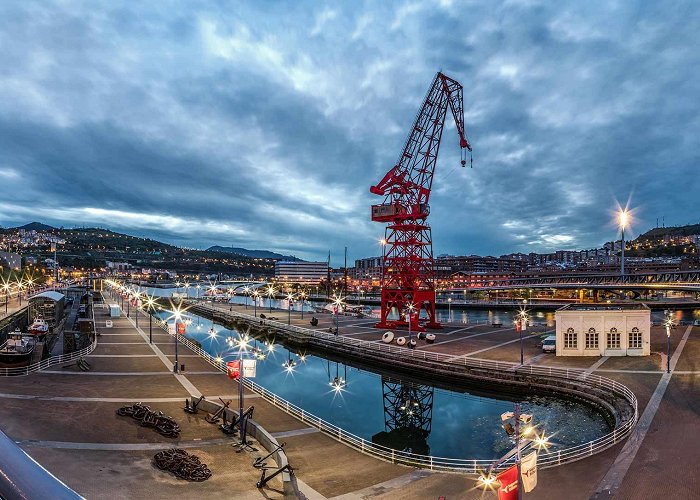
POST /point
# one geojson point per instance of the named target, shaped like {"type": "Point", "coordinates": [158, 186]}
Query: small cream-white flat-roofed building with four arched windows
{"type": "Point", "coordinates": [603, 330]}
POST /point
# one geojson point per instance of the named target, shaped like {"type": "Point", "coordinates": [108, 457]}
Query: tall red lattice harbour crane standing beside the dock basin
{"type": "Point", "coordinates": [408, 277]}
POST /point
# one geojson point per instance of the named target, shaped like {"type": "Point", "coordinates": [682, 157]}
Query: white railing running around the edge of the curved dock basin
{"type": "Point", "coordinates": [546, 458]}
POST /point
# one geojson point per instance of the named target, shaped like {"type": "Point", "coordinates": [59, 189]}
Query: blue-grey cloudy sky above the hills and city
{"type": "Point", "coordinates": [263, 124]}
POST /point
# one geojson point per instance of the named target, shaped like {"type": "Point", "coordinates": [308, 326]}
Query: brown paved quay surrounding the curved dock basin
{"type": "Point", "coordinates": [65, 419]}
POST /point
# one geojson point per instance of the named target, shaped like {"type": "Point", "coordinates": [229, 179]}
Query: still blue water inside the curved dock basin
{"type": "Point", "coordinates": [460, 425]}
